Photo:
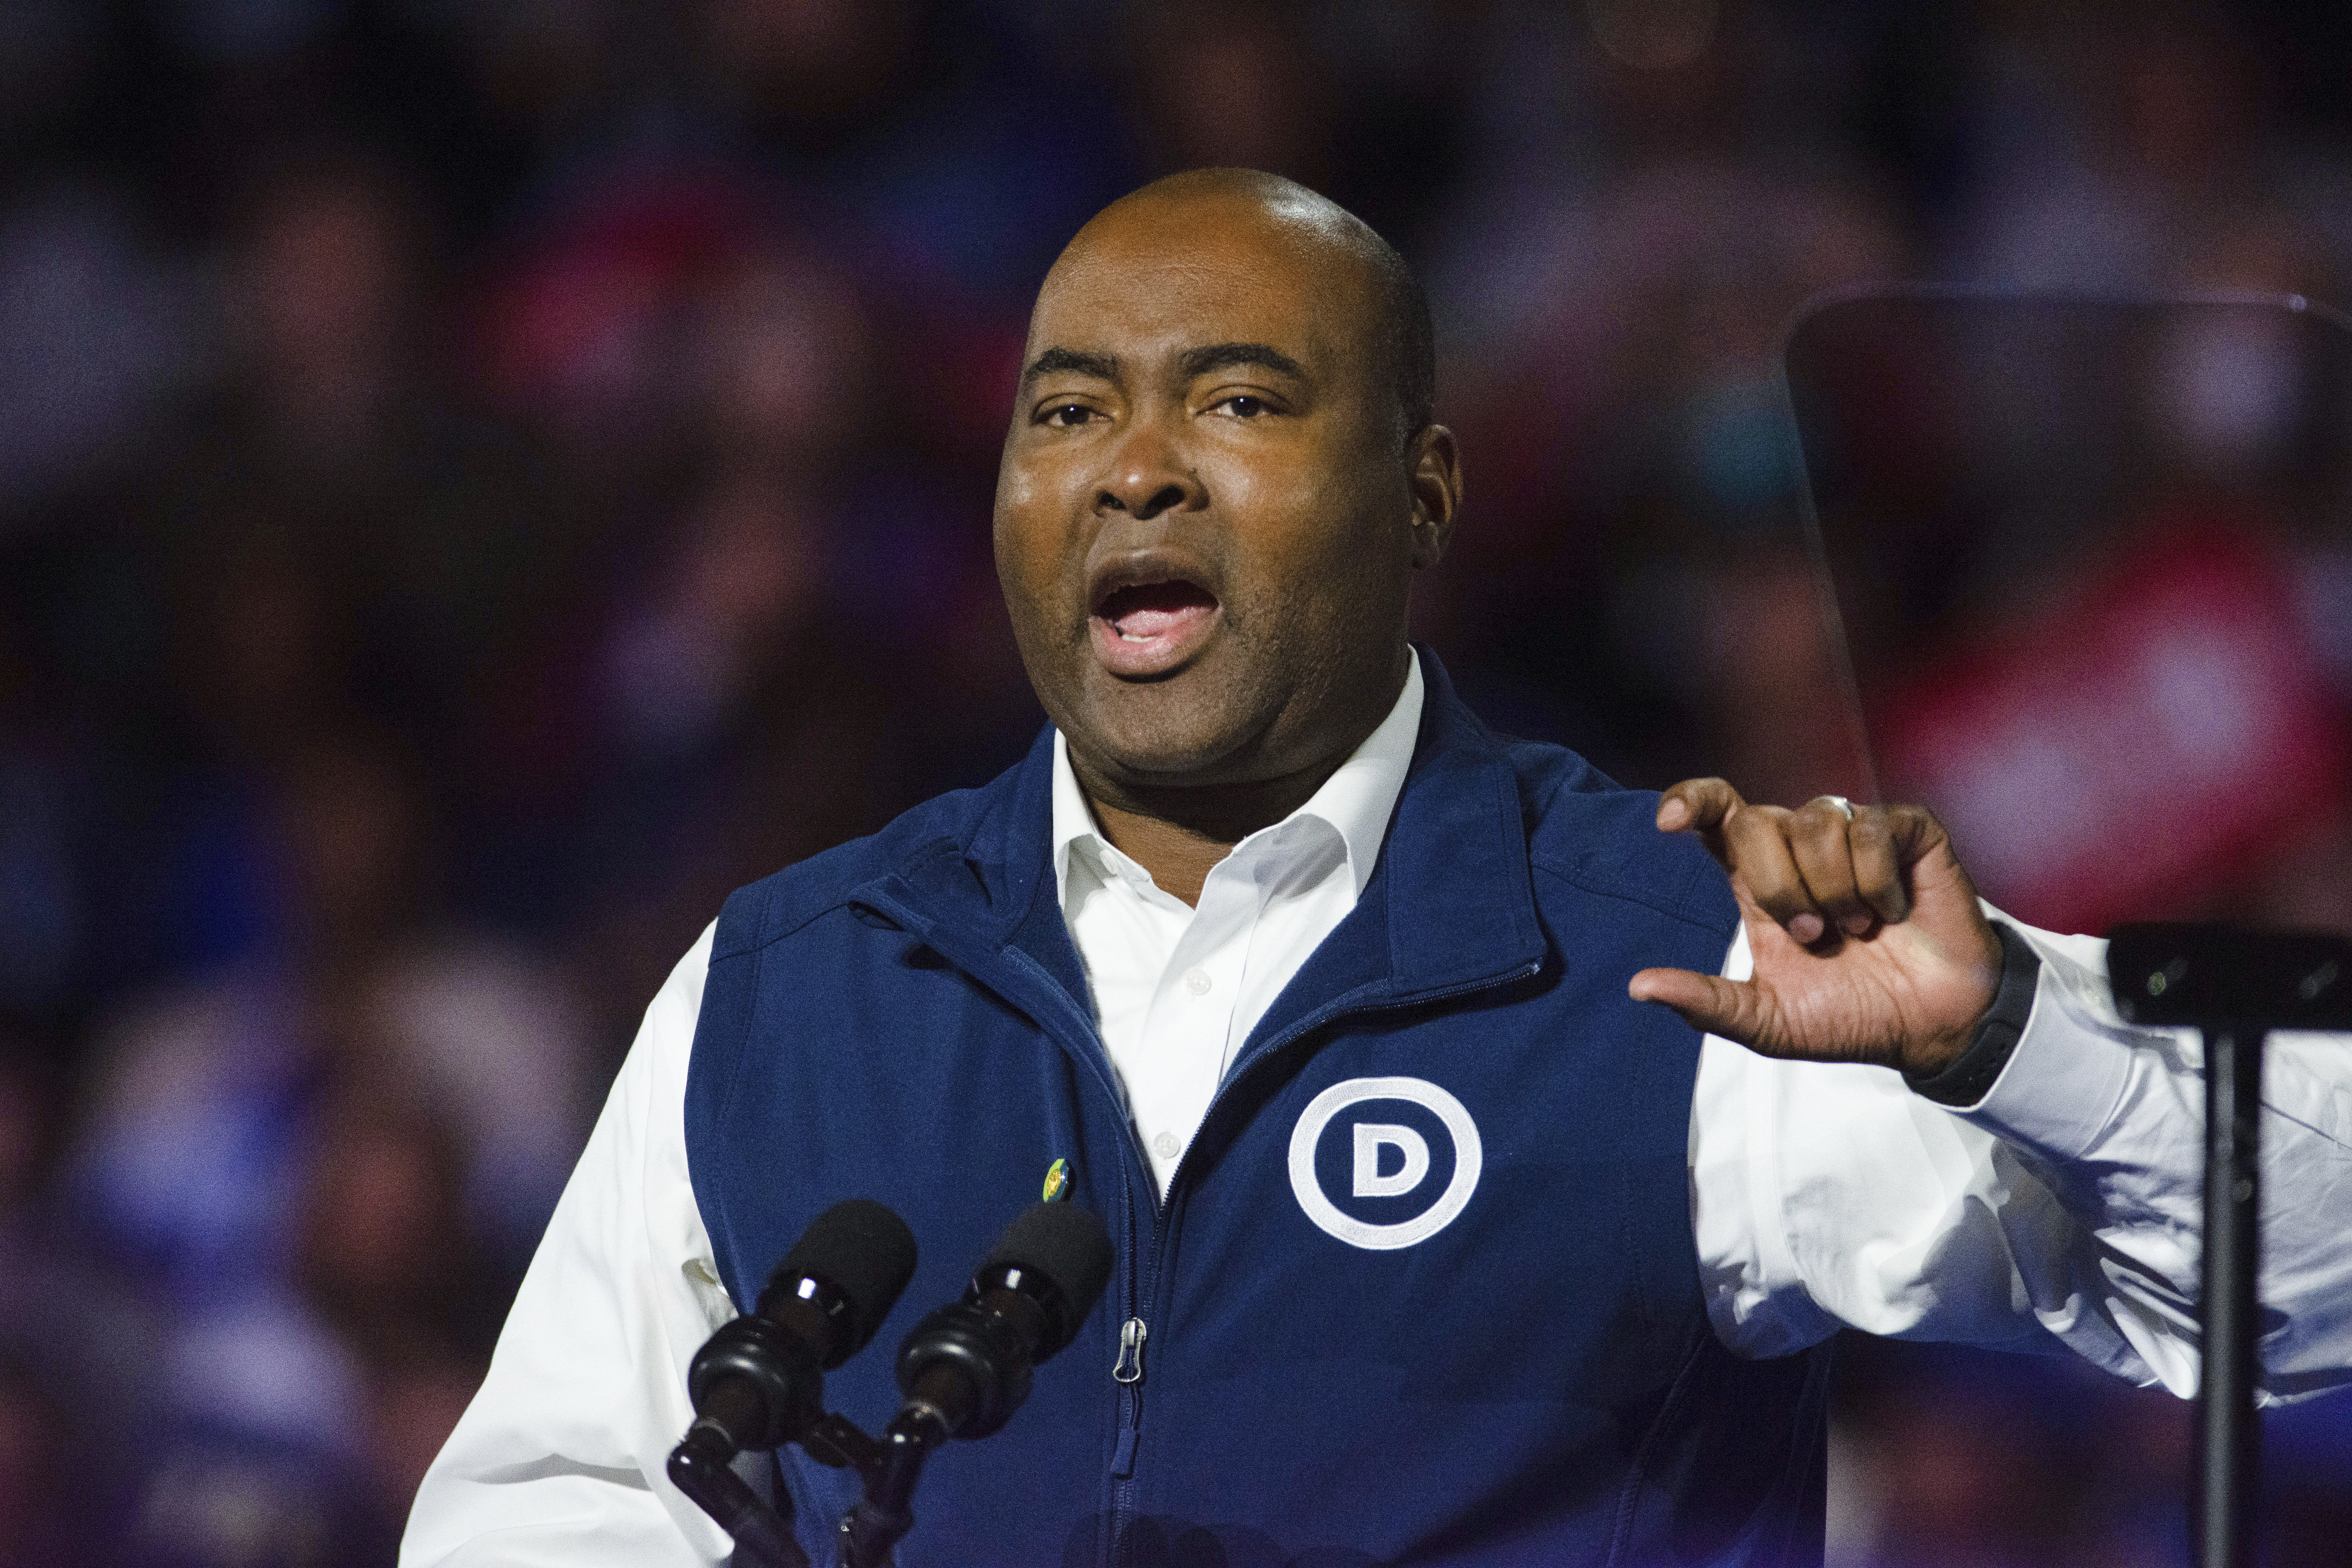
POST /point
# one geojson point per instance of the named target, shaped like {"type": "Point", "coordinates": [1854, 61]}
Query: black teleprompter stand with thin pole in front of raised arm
{"type": "Point", "coordinates": [2233, 986]}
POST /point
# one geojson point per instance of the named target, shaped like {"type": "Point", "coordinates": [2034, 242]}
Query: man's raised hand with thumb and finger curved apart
{"type": "Point", "coordinates": [1866, 932]}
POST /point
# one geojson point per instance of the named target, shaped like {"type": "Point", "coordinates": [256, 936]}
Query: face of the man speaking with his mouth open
{"type": "Point", "coordinates": [1205, 525]}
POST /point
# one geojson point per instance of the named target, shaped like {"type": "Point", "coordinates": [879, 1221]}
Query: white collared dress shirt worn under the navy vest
{"type": "Point", "coordinates": [2059, 1212]}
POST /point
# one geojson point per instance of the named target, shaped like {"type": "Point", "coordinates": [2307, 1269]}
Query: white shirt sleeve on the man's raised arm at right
{"type": "Point", "coordinates": [2062, 1212]}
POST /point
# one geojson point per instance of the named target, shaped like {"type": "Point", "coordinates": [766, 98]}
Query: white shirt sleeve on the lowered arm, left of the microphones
{"type": "Point", "coordinates": [561, 1456]}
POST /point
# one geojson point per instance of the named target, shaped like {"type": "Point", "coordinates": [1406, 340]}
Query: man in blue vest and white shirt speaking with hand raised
{"type": "Point", "coordinates": [1450, 1224]}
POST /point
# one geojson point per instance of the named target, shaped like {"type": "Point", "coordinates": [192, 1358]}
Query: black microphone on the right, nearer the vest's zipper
{"type": "Point", "coordinates": [968, 1367]}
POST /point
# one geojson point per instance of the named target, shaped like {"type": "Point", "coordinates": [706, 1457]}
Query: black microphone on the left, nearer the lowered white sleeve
{"type": "Point", "coordinates": [761, 1379]}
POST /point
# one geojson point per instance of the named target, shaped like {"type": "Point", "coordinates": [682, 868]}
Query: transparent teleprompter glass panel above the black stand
{"type": "Point", "coordinates": [2092, 563]}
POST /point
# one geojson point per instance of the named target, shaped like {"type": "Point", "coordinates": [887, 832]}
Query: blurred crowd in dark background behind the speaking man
{"type": "Point", "coordinates": [486, 478]}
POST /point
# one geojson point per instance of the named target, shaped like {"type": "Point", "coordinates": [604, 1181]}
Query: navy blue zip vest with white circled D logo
{"type": "Point", "coordinates": [1424, 1287]}
